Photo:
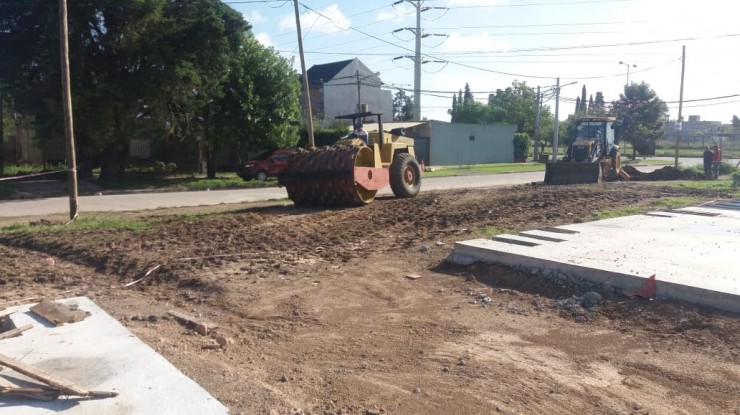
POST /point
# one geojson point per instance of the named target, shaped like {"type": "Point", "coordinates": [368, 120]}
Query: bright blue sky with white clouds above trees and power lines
{"type": "Point", "coordinates": [489, 44]}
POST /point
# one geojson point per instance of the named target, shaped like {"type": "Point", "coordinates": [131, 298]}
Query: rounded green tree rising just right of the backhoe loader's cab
{"type": "Point", "coordinates": [642, 113]}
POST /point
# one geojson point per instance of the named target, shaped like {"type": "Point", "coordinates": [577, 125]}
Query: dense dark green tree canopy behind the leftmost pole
{"type": "Point", "coordinates": [144, 69]}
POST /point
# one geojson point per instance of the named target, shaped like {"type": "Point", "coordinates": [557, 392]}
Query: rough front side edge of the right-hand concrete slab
{"type": "Point", "coordinates": [465, 254]}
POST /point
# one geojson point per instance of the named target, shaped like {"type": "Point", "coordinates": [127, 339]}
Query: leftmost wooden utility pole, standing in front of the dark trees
{"type": "Point", "coordinates": [67, 102]}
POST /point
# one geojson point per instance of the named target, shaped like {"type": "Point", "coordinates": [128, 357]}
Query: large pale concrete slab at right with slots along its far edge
{"type": "Point", "coordinates": [693, 252]}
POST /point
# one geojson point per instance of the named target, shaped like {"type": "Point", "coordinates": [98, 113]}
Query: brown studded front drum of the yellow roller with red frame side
{"type": "Point", "coordinates": [333, 176]}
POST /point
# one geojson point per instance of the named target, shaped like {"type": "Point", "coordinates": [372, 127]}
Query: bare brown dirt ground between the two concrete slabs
{"type": "Point", "coordinates": [320, 317]}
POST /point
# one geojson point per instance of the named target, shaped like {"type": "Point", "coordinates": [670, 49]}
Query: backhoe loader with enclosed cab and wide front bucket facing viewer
{"type": "Point", "coordinates": [592, 157]}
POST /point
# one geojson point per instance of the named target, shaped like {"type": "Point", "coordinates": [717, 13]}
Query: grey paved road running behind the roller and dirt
{"type": "Point", "coordinates": [144, 201]}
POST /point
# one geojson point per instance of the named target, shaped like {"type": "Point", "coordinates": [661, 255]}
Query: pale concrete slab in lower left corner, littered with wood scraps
{"type": "Point", "coordinates": [100, 354]}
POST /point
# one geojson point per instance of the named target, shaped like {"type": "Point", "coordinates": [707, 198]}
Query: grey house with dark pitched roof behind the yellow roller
{"type": "Point", "coordinates": [337, 88]}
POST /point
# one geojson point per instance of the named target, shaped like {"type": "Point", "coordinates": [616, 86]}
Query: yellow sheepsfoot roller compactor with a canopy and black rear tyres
{"type": "Point", "coordinates": [351, 172]}
